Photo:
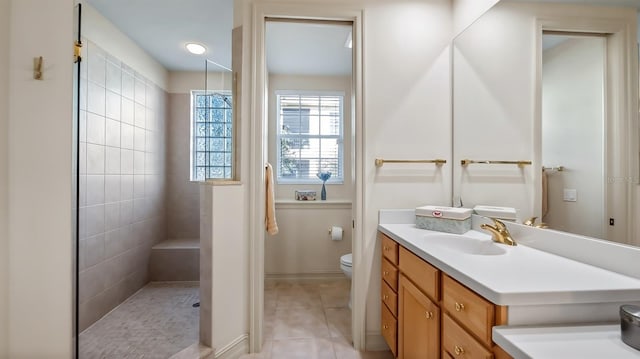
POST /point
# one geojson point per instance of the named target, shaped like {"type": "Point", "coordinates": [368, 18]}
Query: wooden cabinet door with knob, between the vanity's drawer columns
{"type": "Point", "coordinates": [418, 323]}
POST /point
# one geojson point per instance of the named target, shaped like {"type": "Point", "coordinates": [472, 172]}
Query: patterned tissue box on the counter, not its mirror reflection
{"type": "Point", "coordinates": [444, 219]}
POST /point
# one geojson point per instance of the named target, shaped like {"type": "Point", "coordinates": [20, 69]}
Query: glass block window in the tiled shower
{"type": "Point", "coordinates": [211, 136]}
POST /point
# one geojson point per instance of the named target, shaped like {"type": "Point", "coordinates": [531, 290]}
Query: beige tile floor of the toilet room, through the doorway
{"type": "Point", "coordinates": [309, 320]}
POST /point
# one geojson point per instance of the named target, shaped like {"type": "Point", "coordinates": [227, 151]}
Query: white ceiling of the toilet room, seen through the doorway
{"type": "Point", "coordinates": [308, 48]}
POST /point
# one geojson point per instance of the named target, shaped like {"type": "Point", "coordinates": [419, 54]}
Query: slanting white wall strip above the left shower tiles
{"type": "Point", "coordinates": [101, 31]}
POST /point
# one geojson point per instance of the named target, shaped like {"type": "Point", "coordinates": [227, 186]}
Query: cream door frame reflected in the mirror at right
{"type": "Point", "coordinates": [621, 112]}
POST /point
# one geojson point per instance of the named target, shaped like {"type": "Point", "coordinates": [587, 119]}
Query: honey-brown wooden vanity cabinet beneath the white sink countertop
{"type": "Point", "coordinates": [427, 314]}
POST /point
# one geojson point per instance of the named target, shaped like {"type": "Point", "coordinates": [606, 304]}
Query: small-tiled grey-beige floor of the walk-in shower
{"type": "Point", "coordinates": [154, 323]}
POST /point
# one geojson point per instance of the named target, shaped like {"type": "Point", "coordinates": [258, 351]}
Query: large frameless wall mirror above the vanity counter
{"type": "Point", "coordinates": [503, 111]}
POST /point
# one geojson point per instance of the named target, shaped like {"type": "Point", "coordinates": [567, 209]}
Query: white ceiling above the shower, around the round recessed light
{"type": "Point", "coordinates": [163, 27]}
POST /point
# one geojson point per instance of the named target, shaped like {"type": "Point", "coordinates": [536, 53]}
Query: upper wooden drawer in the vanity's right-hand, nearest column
{"type": "Point", "coordinates": [472, 311]}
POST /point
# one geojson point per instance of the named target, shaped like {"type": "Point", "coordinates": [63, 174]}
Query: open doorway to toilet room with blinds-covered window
{"type": "Point", "coordinates": [309, 126]}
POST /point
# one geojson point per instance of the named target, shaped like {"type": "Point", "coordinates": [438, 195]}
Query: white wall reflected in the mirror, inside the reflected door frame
{"type": "Point", "coordinates": [573, 134]}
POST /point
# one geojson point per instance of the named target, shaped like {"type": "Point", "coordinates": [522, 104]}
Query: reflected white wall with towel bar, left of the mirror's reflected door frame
{"type": "Point", "coordinates": [493, 110]}
